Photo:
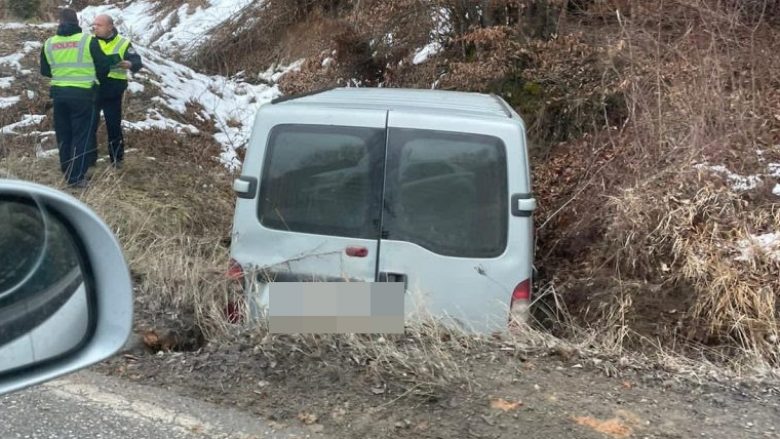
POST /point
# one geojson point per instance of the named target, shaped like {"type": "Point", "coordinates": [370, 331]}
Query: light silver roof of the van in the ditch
{"type": "Point", "coordinates": [465, 103]}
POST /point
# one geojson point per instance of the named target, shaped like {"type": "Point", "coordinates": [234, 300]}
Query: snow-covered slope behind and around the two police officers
{"type": "Point", "coordinates": [230, 103]}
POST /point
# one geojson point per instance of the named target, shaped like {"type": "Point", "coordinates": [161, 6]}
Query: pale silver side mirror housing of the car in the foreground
{"type": "Point", "coordinates": [107, 284]}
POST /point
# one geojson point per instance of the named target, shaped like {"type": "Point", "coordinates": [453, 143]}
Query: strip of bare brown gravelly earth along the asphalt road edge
{"type": "Point", "coordinates": [507, 395]}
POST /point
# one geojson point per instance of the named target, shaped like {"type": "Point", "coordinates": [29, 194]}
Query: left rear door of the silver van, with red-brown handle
{"type": "Point", "coordinates": [317, 213]}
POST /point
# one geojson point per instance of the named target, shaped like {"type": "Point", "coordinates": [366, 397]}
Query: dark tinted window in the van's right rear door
{"type": "Point", "coordinates": [447, 192]}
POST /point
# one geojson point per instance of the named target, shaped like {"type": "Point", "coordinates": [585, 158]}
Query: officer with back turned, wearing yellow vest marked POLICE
{"type": "Point", "coordinates": [76, 64]}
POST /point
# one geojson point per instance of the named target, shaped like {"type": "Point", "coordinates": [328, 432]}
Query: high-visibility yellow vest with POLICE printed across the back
{"type": "Point", "coordinates": [70, 61]}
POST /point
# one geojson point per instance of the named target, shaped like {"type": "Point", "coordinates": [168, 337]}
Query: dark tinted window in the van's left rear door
{"type": "Point", "coordinates": [323, 179]}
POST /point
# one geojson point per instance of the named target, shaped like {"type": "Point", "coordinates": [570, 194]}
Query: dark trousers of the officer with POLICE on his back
{"type": "Point", "coordinates": [74, 127]}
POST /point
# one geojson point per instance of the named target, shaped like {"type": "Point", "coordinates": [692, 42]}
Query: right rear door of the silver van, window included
{"type": "Point", "coordinates": [446, 226]}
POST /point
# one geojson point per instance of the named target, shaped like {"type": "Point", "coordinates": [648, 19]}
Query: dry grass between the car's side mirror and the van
{"type": "Point", "coordinates": [173, 221]}
